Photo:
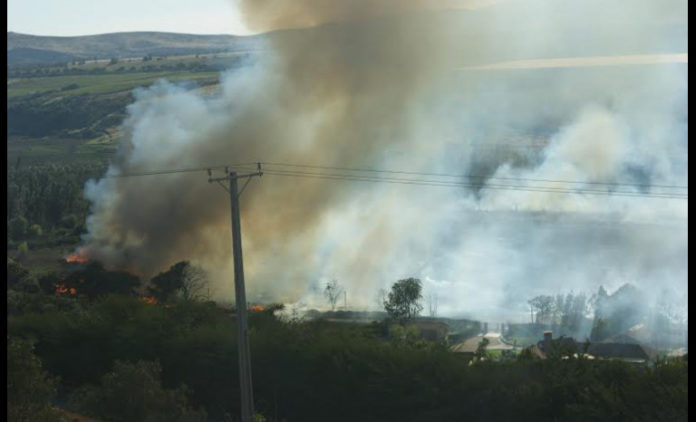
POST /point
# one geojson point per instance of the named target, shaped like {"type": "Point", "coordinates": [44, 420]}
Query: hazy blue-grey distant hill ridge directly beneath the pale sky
{"type": "Point", "coordinates": [26, 49]}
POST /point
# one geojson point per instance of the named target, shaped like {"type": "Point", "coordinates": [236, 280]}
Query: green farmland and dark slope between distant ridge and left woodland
{"type": "Point", "coordinates": [86, 100]}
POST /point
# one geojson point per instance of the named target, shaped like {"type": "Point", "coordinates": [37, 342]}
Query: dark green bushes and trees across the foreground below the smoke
{"type": "Point", "coordinates": [97, 343]}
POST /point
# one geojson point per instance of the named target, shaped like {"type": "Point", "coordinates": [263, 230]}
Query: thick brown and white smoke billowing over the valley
{"type": "Point", "coordinates": [393, 85]}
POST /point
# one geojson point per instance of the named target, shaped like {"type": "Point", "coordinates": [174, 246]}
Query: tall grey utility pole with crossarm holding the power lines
{"type": "Point", "coordinates": [247, 393]}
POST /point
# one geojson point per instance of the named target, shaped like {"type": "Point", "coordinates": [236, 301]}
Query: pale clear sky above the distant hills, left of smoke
{"type": "Point", "coordinates": [85, 17]}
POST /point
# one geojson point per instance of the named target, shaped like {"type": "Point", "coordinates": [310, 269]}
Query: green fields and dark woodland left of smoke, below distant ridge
{"type": "Point", "coordinates": [63, 128]}
